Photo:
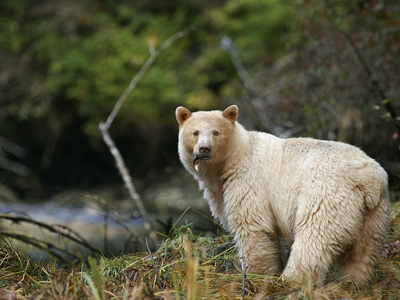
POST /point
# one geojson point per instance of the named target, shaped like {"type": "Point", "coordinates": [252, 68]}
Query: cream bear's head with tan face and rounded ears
{"type": "Point", "coordinates": [205, 136]}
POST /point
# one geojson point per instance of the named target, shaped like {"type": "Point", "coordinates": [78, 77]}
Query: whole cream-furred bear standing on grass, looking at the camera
{"type": "Point", "coordinates": [328, 200]}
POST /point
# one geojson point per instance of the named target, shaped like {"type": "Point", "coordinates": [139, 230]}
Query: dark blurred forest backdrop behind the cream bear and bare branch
{"type": "Point", "coordinates": [325, 69]}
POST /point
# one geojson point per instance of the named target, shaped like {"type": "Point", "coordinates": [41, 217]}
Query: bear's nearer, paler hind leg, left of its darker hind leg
{"type": "Point", "coordinates": [322, 232]}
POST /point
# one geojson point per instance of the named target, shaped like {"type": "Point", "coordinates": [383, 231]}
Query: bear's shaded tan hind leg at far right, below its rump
{"type": "Point", "coordinates": [357, 264]}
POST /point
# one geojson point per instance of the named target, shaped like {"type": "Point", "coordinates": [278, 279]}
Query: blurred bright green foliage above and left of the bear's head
{"type": "Point", "coordinates": [87, 53]}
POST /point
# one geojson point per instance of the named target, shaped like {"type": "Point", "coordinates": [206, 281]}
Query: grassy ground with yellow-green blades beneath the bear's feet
{"type": "Point", "coordinates": [185, 267]}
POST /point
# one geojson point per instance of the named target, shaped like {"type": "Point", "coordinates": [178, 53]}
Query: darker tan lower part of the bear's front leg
{"type": "Point", "coordinates": [260, 250]}
